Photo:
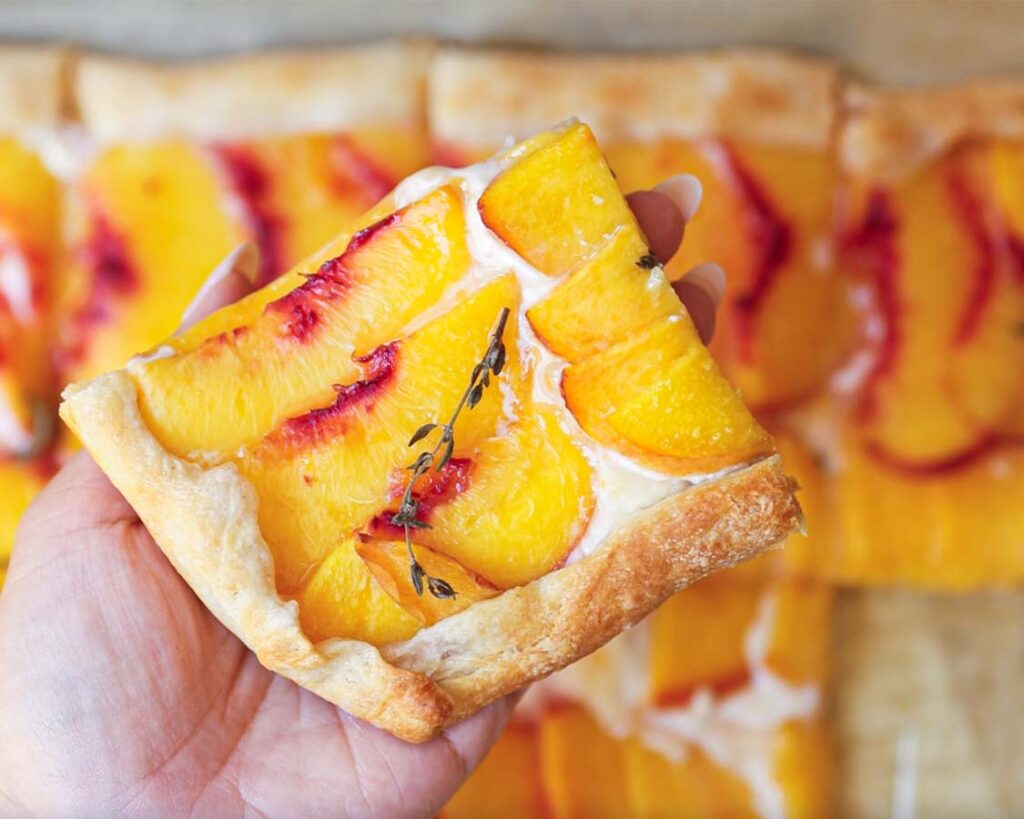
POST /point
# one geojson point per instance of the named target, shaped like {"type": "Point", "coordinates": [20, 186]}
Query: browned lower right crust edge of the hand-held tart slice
{"type": "Point", "coordinates": [497, 646]}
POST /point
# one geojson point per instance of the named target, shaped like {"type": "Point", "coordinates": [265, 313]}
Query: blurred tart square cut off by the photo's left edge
{"type": "Point", "coordinates": [31, 107]}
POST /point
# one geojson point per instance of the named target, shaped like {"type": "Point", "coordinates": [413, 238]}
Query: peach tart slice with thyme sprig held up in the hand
{"type": "Point", "coordinates": [375, 472]}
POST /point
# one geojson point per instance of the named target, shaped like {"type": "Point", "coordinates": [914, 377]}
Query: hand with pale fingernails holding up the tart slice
{"type": "Point", "coordinates": [121, 694]}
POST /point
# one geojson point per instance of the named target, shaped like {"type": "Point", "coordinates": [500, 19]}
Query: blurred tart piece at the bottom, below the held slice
{"type": "Point", "coordinates": [732, 726]}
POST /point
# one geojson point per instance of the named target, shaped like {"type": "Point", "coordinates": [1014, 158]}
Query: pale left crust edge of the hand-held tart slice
{"type": "Point", "coordinates": [205, 521]}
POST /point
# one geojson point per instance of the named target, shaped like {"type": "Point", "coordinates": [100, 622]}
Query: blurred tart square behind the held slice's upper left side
{"type": "Point", "coordinates": [181, 163]}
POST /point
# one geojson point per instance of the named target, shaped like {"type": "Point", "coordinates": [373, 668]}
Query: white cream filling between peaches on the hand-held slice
{"type": "Point", "coordinates": [622, 489]}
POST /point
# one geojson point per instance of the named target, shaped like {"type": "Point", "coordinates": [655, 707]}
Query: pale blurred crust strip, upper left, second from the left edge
{"type": "Point", "coordinates": [264, 96]}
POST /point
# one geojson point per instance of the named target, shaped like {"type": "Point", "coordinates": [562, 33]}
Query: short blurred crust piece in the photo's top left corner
{"type": "Point", "coordinates": [32, 88]}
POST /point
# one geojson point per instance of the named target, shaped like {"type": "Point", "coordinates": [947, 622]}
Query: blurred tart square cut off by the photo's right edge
{"type": "Point", "coordinates": [933, 397]}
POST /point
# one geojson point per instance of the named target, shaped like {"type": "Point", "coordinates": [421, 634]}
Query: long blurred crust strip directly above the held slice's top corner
{"type": "Point", "coordinates": [479, 99]}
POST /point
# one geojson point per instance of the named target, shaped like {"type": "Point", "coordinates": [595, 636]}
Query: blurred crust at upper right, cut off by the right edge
{"type": "Point", "coordinates": [888, 136]}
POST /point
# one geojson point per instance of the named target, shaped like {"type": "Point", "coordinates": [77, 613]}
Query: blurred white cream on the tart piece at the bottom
{"type": "Point", "coordinates": [738, 731]}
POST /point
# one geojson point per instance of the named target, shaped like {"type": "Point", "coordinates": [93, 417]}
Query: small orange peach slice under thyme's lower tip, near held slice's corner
{"type": "Point", "coordinates": [389, 562]}
